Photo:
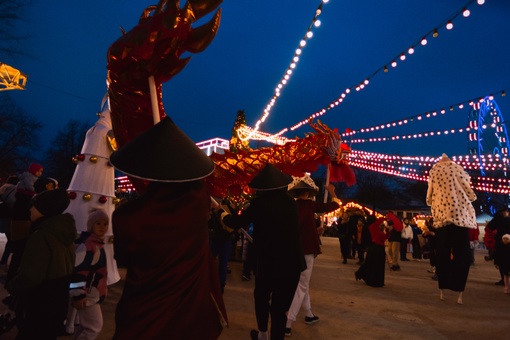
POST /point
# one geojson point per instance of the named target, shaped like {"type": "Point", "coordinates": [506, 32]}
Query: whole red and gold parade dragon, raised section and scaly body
{"type": "Point", "coordinates": [153, 48]}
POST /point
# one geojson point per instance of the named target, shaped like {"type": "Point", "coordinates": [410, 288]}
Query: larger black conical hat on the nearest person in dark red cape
{"type": "Point", "coordinates": [164, 153]}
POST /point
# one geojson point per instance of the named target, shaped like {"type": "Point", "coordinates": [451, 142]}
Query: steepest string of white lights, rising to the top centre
{"type": "Point", "coordinates": [288, 72]}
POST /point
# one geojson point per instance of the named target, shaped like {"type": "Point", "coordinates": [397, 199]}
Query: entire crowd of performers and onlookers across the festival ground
{"type": "Point", "coordinates": [170, 284]}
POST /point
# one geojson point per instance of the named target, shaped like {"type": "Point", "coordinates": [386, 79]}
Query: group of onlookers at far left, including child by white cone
{"type": "Point", "coordinates": [46, 272]}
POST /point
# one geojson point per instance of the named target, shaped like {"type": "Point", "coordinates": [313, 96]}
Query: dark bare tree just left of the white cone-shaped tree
{"type": "Point", "coordinates": [59, 156]}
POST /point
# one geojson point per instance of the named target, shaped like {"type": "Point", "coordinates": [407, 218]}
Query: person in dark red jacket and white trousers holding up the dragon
{"type": "Point", "coordinates": [304, 191]}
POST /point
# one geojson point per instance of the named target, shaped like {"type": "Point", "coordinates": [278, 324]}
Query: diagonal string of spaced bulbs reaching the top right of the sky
{"type": "Point", "coordinates": [434, 33]}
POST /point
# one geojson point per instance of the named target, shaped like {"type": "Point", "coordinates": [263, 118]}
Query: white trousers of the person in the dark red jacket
{"type": "Point", "coordinates": [302, 294]}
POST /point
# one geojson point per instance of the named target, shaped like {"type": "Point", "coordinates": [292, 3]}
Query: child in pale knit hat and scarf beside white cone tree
{"type": "Point", "coordinates": [89, 278]}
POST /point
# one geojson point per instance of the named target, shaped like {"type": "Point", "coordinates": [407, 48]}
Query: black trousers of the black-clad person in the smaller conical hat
{"type": "Point", "coordinates": [273, 296]}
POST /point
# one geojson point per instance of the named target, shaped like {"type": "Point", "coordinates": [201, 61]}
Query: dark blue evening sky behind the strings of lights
{"type": "Point", "coordinates": [254, 46]}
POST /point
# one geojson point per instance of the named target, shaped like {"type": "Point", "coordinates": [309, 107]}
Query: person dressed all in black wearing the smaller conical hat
{"type": "Point", "coordinates": [279, 259]}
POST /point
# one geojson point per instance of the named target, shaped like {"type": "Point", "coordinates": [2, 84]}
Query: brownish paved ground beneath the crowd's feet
{"type": "Point", "coordinates": [407, 307]}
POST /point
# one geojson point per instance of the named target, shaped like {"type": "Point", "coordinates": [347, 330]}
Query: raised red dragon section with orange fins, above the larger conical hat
{"type": "Point", "coordinates": [152, 49]}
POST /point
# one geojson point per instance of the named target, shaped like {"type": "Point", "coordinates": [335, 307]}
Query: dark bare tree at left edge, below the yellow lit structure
{"type": "Point", "coordinates": [19, 137]}
